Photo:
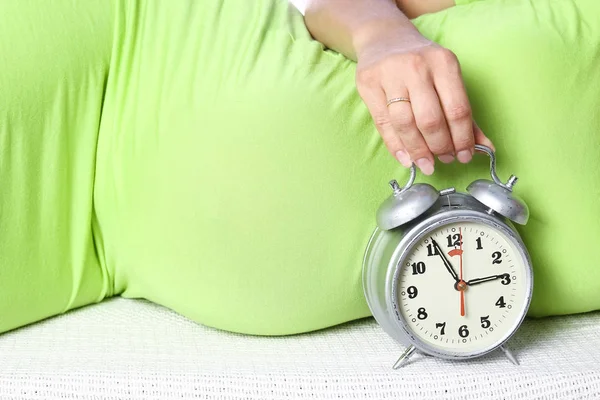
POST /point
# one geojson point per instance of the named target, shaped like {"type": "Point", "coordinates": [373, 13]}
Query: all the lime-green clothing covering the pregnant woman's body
{"type": "Point", "coordinates": [211, 157]}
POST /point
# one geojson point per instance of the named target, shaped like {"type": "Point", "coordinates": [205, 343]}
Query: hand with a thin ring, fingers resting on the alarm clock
{"type": "Point", "coordinates": [397, 62]}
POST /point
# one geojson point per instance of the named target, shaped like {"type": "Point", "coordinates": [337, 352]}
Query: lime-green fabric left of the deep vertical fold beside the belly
{"type": "Point", "coordinates": [53, 64]}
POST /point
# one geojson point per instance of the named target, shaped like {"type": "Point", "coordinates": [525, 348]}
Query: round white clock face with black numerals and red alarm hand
{"type": "Point", "coordinates": [463, 288]}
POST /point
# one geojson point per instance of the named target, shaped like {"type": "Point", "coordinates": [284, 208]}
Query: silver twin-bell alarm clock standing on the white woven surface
{"type": "Point", "coordinates": [445, 273]}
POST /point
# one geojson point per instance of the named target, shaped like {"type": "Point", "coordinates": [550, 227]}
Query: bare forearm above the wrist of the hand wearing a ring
{"type": "Point", "coordinates": [347, 25]}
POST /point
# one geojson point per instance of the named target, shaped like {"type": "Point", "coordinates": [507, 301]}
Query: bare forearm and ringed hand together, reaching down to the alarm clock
{"type": "Point", "coordinates": [431, 114]}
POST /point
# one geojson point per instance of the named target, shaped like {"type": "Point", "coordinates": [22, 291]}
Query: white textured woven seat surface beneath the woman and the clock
{"type": "Point", "coordinates": [127, 349]}
